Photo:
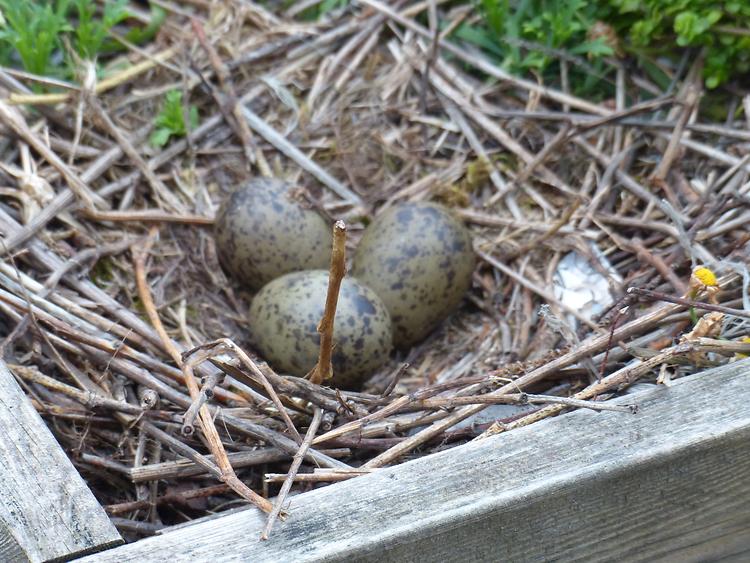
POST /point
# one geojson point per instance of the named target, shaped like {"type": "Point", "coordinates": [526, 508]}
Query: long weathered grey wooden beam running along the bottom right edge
{"type": "Point", "coordinates": [669, 483]}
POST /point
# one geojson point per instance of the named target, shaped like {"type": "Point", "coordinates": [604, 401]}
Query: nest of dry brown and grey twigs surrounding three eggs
{"type": "Point", "coordinates": [110, 272]}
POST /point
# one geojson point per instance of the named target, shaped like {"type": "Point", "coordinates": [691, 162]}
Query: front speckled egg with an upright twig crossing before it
{"type": "Point", "coordinates": [284, 317]}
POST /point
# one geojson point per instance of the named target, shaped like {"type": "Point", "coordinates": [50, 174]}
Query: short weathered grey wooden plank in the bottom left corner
{"type": "Point", "coordinates": [46, 510]}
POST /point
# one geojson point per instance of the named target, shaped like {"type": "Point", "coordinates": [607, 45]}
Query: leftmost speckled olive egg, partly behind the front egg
{"type": "Point", "coordinates": [262, 232]}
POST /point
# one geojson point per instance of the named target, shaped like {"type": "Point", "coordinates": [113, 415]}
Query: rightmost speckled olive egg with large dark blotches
{"type": "Point", "coordinates": [418, 258]}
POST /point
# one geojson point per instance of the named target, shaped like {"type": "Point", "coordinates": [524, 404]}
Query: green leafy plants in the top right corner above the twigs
{"type": "Point", "coordinates": [534, 35]}
